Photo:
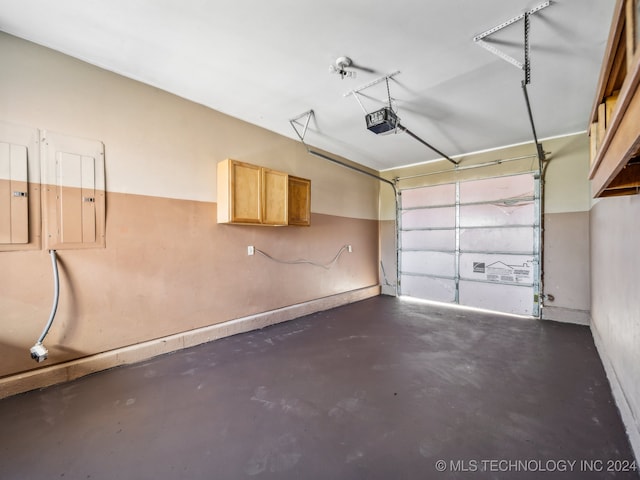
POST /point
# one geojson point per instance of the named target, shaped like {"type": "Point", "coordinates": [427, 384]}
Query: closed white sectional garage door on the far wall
{"type": "Point", "coordinates": [474, 243]}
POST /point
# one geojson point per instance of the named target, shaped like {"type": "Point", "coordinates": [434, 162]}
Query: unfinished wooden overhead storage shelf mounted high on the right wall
{"type": "Point", "coordinates": [615, 128]}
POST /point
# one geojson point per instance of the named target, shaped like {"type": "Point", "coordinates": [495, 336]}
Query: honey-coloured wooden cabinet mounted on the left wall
{"type": "Point", "coordinates": [254, 195]}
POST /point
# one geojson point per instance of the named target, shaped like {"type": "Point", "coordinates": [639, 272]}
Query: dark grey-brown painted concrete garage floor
{"type": "Point", "coordinates": [380, 389]}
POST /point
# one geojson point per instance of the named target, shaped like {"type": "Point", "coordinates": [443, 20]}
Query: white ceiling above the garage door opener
{"type": "Point", "coordinates": [267, 61]}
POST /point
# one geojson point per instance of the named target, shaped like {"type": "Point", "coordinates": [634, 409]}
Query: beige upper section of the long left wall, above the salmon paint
{"type": "Point", "coordinates": [156, 143]}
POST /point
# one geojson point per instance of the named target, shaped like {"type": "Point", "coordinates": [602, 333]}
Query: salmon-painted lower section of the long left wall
{"type": "Point", "coordinates": [168, 267]}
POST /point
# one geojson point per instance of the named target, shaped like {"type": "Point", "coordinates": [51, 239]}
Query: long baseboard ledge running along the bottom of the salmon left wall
{"type": "Point", "coordinates": [64, 372]}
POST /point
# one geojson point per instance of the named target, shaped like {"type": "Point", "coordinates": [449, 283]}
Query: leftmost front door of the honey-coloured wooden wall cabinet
{"type": "Point", "coordinates": [246, 197]}
